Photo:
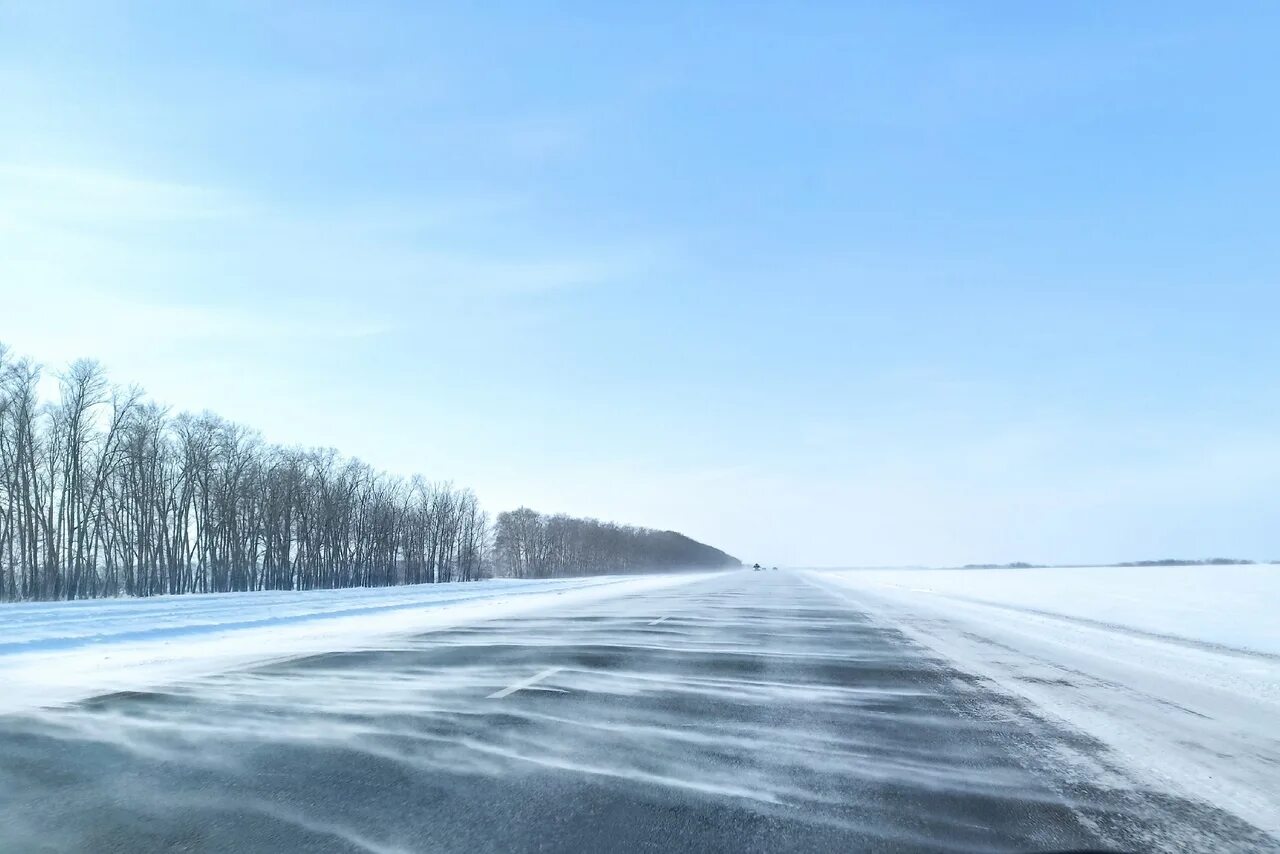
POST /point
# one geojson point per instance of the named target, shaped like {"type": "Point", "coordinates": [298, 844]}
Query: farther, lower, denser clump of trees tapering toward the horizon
{"type": "Point", "coordinates": [529, 545]}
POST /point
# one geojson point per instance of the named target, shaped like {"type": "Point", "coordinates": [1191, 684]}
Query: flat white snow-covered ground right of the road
{"type": "Point", "coordinates": [1177, 672]}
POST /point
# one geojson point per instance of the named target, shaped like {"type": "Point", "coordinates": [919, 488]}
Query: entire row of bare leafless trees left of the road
{"type": "Point", "coordinates": [106, 494]}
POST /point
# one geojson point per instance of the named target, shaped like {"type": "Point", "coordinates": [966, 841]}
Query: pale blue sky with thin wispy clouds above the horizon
{"type": "Point", "coordinates": [825, 284]}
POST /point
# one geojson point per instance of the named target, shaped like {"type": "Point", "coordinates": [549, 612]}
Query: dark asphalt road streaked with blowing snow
{"type": "Point", "coordinates": [749, 713]}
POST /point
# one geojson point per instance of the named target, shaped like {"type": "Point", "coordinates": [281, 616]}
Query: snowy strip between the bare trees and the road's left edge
{"type": "Point", "coordinates": [56, 654]}
